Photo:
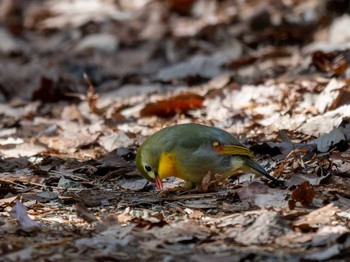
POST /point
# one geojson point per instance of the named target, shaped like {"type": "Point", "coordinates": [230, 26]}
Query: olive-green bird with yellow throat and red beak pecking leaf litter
{"type": "Point", "coordinates": [190, 151]}
